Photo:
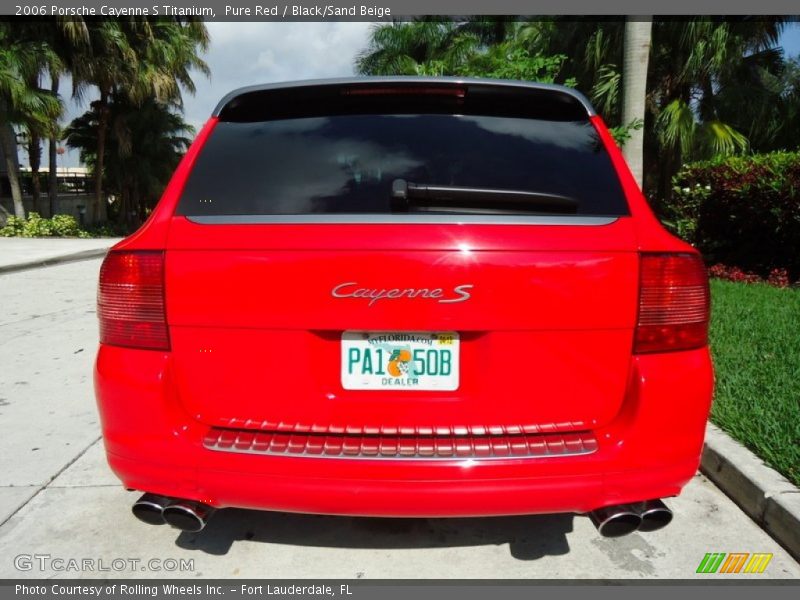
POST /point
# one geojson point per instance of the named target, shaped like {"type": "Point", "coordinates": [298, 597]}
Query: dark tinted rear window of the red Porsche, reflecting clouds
{"type": "Point", "coordinates": [349, 163]}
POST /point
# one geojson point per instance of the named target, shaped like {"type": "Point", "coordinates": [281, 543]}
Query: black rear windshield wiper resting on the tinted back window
{"type": "Point", "coordinates": [408, 196]}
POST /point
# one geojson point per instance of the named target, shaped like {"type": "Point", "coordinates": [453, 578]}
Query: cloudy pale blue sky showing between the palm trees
{"type": "Point", "coordinates": [242, 54]}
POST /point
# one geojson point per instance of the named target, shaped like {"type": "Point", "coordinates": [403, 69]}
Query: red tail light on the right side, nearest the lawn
{"type": "Point", "coordinates": [673, 303]}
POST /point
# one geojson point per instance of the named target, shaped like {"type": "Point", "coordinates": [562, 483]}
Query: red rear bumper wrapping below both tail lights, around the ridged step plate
{"type": "Point", "coordinates": [650, 450]}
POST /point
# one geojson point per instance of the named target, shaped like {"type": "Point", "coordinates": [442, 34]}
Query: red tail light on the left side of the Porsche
{"type": "Point", "coordinates": [130, 300]}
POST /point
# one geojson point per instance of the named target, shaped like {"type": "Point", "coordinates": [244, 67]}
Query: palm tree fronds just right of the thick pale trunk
{"type": "Point", "coordinates": [692, 64]}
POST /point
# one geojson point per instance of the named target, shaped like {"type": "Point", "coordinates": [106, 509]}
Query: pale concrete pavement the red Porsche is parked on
{"type": "Point", "coordinates": [58, 498]}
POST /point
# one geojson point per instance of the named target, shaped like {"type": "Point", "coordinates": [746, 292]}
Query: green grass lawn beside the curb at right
{"type": "Point", "coordinates": [755, 341]}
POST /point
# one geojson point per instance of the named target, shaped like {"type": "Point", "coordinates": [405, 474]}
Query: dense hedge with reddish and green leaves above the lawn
{"type": "Point", "coordinates": [742, 211]}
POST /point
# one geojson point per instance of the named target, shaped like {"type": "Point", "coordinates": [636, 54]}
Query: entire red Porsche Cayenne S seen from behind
{"type": "Point", "coordinates": [411, 297]}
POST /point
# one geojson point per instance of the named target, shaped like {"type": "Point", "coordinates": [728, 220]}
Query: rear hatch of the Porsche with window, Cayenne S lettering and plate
{"type": "Point", "coordinates": [406, 258]}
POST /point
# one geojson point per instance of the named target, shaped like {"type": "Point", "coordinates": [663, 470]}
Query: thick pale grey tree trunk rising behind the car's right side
{"type": "Point", "coordinates": [634, 88]}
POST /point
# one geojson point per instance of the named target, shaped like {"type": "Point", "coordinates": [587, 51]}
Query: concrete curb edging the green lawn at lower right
{"type": "Point", "coordinates": [761, 492]}
